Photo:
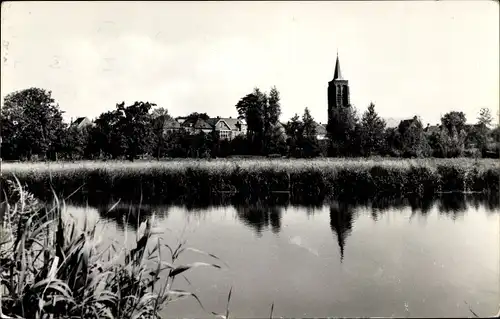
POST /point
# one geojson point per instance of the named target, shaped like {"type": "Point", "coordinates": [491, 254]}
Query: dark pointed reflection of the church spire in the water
{"type": "Point", "coordinates": [341, 220]}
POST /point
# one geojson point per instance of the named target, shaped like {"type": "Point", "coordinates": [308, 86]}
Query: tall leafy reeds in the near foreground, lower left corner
{"type": "Point", "coordinates": [52, 269]}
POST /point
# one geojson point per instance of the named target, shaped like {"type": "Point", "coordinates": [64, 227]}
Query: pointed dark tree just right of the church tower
{"type": "Point", "coordinates": [372, 132]}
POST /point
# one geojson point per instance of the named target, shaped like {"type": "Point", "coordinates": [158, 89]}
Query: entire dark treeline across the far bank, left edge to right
{"type": "Point", "coordinates": [33, 127]}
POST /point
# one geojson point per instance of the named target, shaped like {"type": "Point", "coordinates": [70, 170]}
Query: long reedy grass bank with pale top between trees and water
{"type": "Point", "coordinates": [308, 179]}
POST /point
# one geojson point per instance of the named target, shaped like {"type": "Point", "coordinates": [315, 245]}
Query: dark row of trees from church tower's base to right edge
{"type": "Point", "coordinates": [452, 138]}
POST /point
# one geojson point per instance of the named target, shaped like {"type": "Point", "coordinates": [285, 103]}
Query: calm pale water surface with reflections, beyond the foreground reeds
{"type": "Point", "coordinates": [333, 260]}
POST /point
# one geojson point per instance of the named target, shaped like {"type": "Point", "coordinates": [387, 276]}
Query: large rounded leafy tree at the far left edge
{"type": "Point", "coordinates": [31, 124]}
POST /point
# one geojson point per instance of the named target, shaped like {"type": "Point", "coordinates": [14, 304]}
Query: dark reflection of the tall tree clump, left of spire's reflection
{"type": "Point", "coordinates": [260, 216]}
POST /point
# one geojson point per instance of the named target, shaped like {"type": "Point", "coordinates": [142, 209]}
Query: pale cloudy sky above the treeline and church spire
{"type": "Point", "coordinates": [421, 58]}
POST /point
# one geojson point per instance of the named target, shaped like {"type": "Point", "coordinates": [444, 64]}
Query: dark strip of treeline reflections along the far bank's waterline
{"type": "Point", "coordinates": [262, 213]}
